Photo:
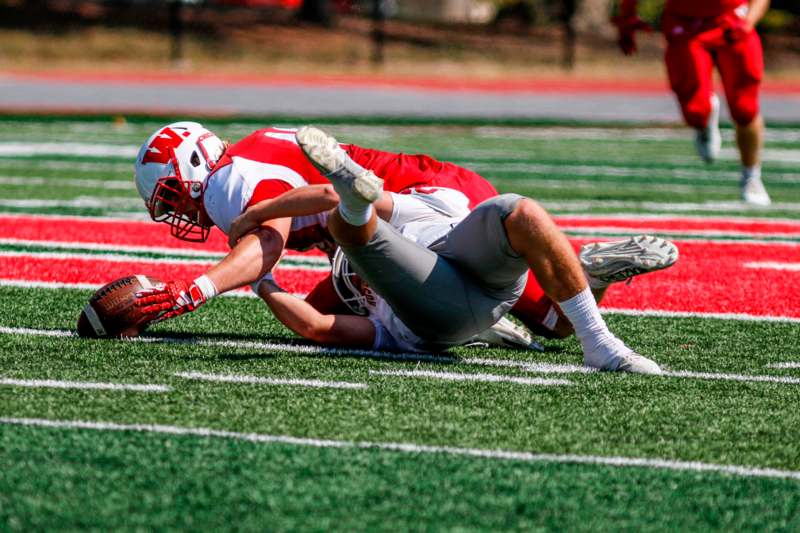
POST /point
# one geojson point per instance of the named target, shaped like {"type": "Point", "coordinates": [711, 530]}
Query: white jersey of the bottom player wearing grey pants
{"type": "Point", "coordinates": [423, 218]}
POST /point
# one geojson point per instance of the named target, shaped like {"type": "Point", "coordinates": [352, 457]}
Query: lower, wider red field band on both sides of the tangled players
{"type": "Point", "coordinates": [707, 279]}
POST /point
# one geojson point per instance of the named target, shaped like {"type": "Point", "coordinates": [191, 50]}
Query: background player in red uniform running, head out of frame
{"type": "Point", "coordinates": [701, 34]}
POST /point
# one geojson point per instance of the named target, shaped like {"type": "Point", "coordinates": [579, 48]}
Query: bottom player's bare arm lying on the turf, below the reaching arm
{"type": "Point", "coordinates": [303, 319]}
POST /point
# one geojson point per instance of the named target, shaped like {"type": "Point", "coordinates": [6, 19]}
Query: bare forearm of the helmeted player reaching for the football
{"type": "Point", "coordinates": [252, 257]}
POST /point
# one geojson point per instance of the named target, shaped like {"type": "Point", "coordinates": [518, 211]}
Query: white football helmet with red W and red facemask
{"type": "Point", "coordinates": [171, 170]}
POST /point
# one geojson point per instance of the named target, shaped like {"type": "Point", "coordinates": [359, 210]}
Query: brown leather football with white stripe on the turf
{"type": "Point", "coordinates": [111, 312]}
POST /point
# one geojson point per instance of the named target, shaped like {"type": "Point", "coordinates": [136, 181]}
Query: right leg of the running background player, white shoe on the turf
{"type": "Point", "coordinates": [741, 67]}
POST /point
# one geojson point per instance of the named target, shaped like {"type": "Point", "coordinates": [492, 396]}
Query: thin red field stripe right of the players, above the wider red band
{"type": "Point", "coordinates": [744, 226]}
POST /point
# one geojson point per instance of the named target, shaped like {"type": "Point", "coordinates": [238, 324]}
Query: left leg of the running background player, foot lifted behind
{"type": "Point", "coordinates": [689, 68]}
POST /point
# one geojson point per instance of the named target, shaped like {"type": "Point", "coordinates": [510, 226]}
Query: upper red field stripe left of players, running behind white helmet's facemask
{"type": "Point", "coordinates": [102, 231]}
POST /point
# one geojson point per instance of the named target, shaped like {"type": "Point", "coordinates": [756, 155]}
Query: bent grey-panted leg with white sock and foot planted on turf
{"type": "Point", "coordinates": [507, 235]}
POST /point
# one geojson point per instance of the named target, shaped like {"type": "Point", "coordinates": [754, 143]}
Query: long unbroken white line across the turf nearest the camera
{"type": "Point", "coordinates": [503, 455]}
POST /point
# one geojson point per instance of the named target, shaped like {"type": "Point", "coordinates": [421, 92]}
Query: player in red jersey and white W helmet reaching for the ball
{"type": "Point", "coordinates": [190, 180]}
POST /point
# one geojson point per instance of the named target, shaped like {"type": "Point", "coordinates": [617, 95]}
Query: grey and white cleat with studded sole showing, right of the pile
{"type": "Point", "coordinates": [620, 260]}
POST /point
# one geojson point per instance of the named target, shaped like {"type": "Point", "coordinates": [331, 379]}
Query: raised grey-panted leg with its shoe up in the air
{"type": "Point", "coordinates": [429, 295]}
